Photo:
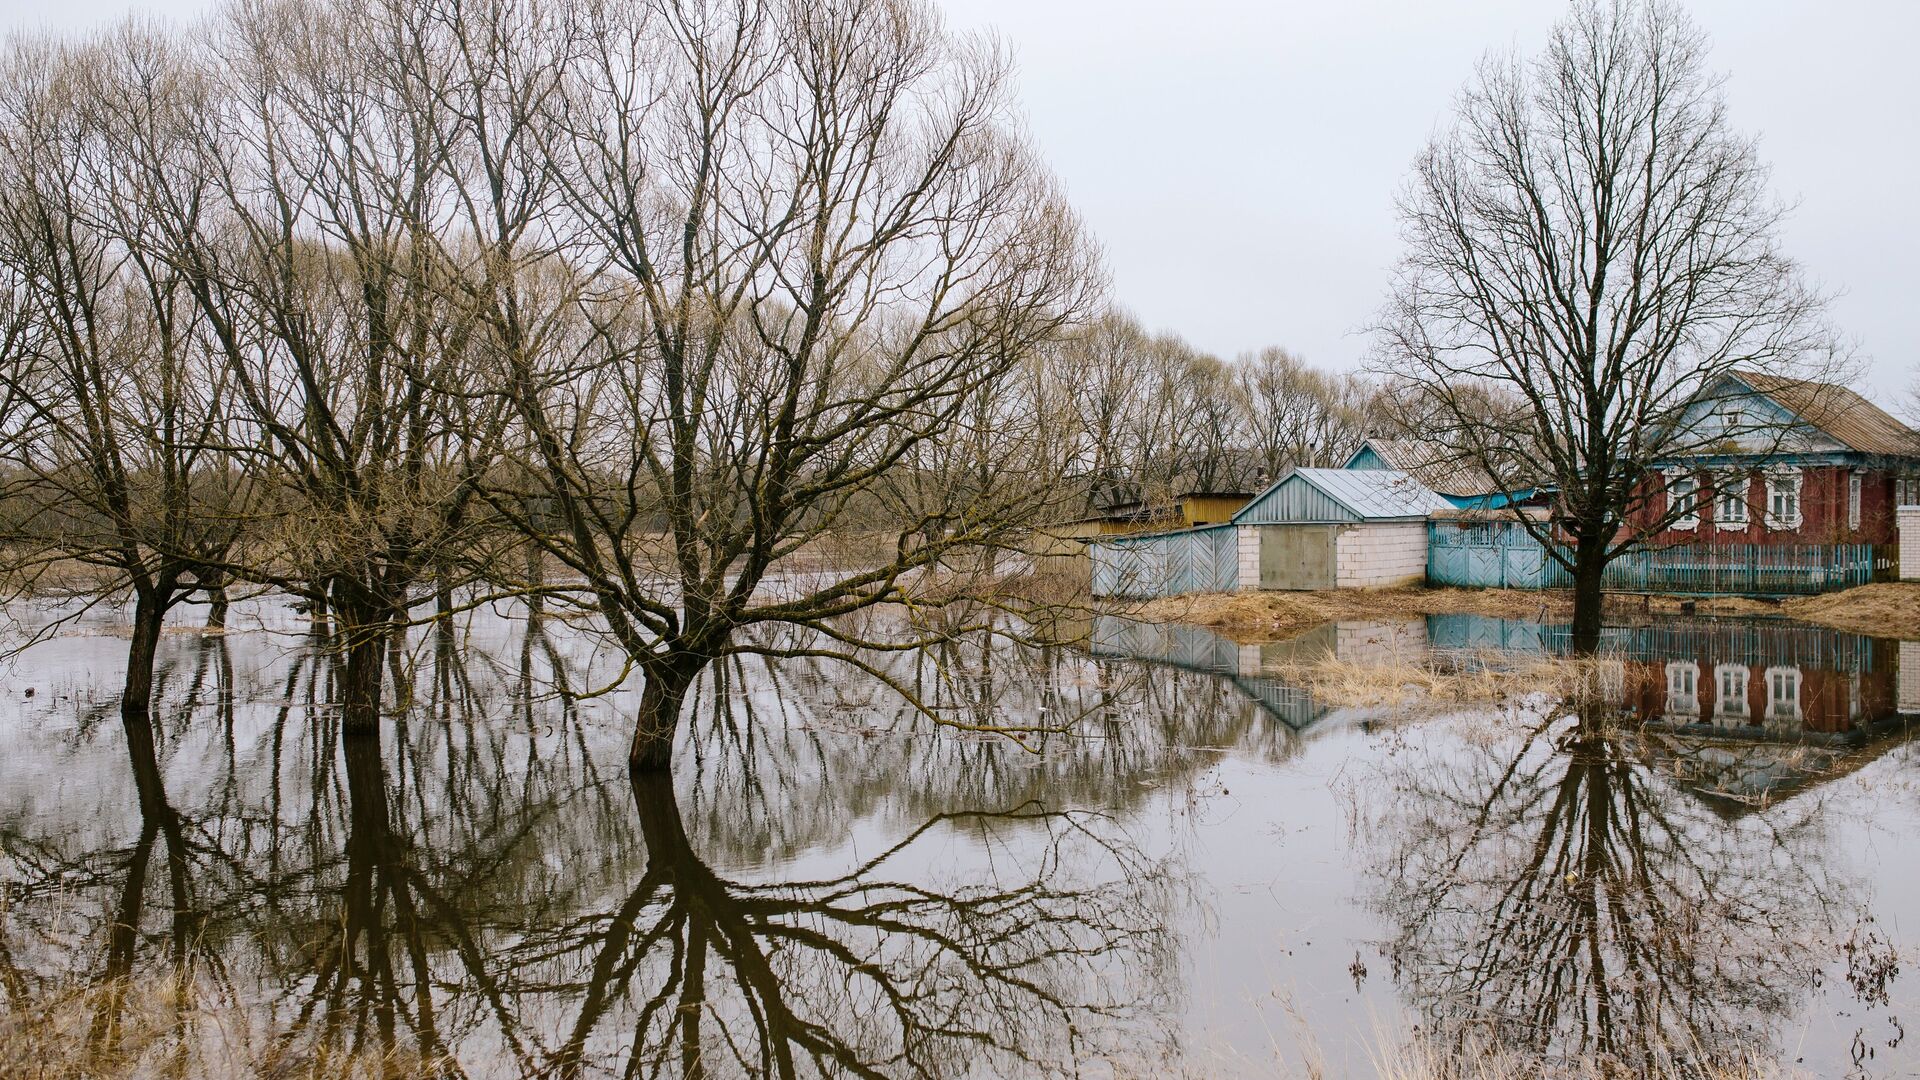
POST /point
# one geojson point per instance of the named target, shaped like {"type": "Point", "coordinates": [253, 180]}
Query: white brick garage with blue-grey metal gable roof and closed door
{"type": "Point", "coordinates": [1337, 529]}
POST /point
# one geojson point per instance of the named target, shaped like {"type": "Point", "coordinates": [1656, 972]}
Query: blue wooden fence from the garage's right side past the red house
{"type": "Point", "coordinates": [1502, 554]}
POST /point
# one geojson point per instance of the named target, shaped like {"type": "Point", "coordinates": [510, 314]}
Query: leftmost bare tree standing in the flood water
{"type": "Point", "coordinates": [116, 447]}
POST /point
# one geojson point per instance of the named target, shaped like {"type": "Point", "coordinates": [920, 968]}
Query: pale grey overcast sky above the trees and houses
{"type": "Point", "coordinates": [1239, 159]}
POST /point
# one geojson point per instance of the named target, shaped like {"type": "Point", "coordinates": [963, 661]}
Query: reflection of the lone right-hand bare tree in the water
{"type": "Point", "coordinates": [1556, 900]}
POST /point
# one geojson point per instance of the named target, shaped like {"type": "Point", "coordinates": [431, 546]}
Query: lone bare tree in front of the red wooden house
{"type": "Point", "coordinates": [1593, 243]}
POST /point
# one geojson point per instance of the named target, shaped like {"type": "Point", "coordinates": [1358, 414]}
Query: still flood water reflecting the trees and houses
{"type": "Point", "coordinates": [1199, 871]}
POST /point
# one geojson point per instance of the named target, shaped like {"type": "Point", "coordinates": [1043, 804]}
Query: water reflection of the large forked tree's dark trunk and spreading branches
{"type": "Point", "coordinates": [867, 973]}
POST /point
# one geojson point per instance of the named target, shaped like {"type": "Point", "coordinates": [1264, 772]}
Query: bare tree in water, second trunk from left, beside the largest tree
{"type": "Point", "coordinates": [322, 266]}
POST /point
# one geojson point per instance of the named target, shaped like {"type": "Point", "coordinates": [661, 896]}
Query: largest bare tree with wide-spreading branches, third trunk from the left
{"type": "Point", "coordinates": [817, 245]}
